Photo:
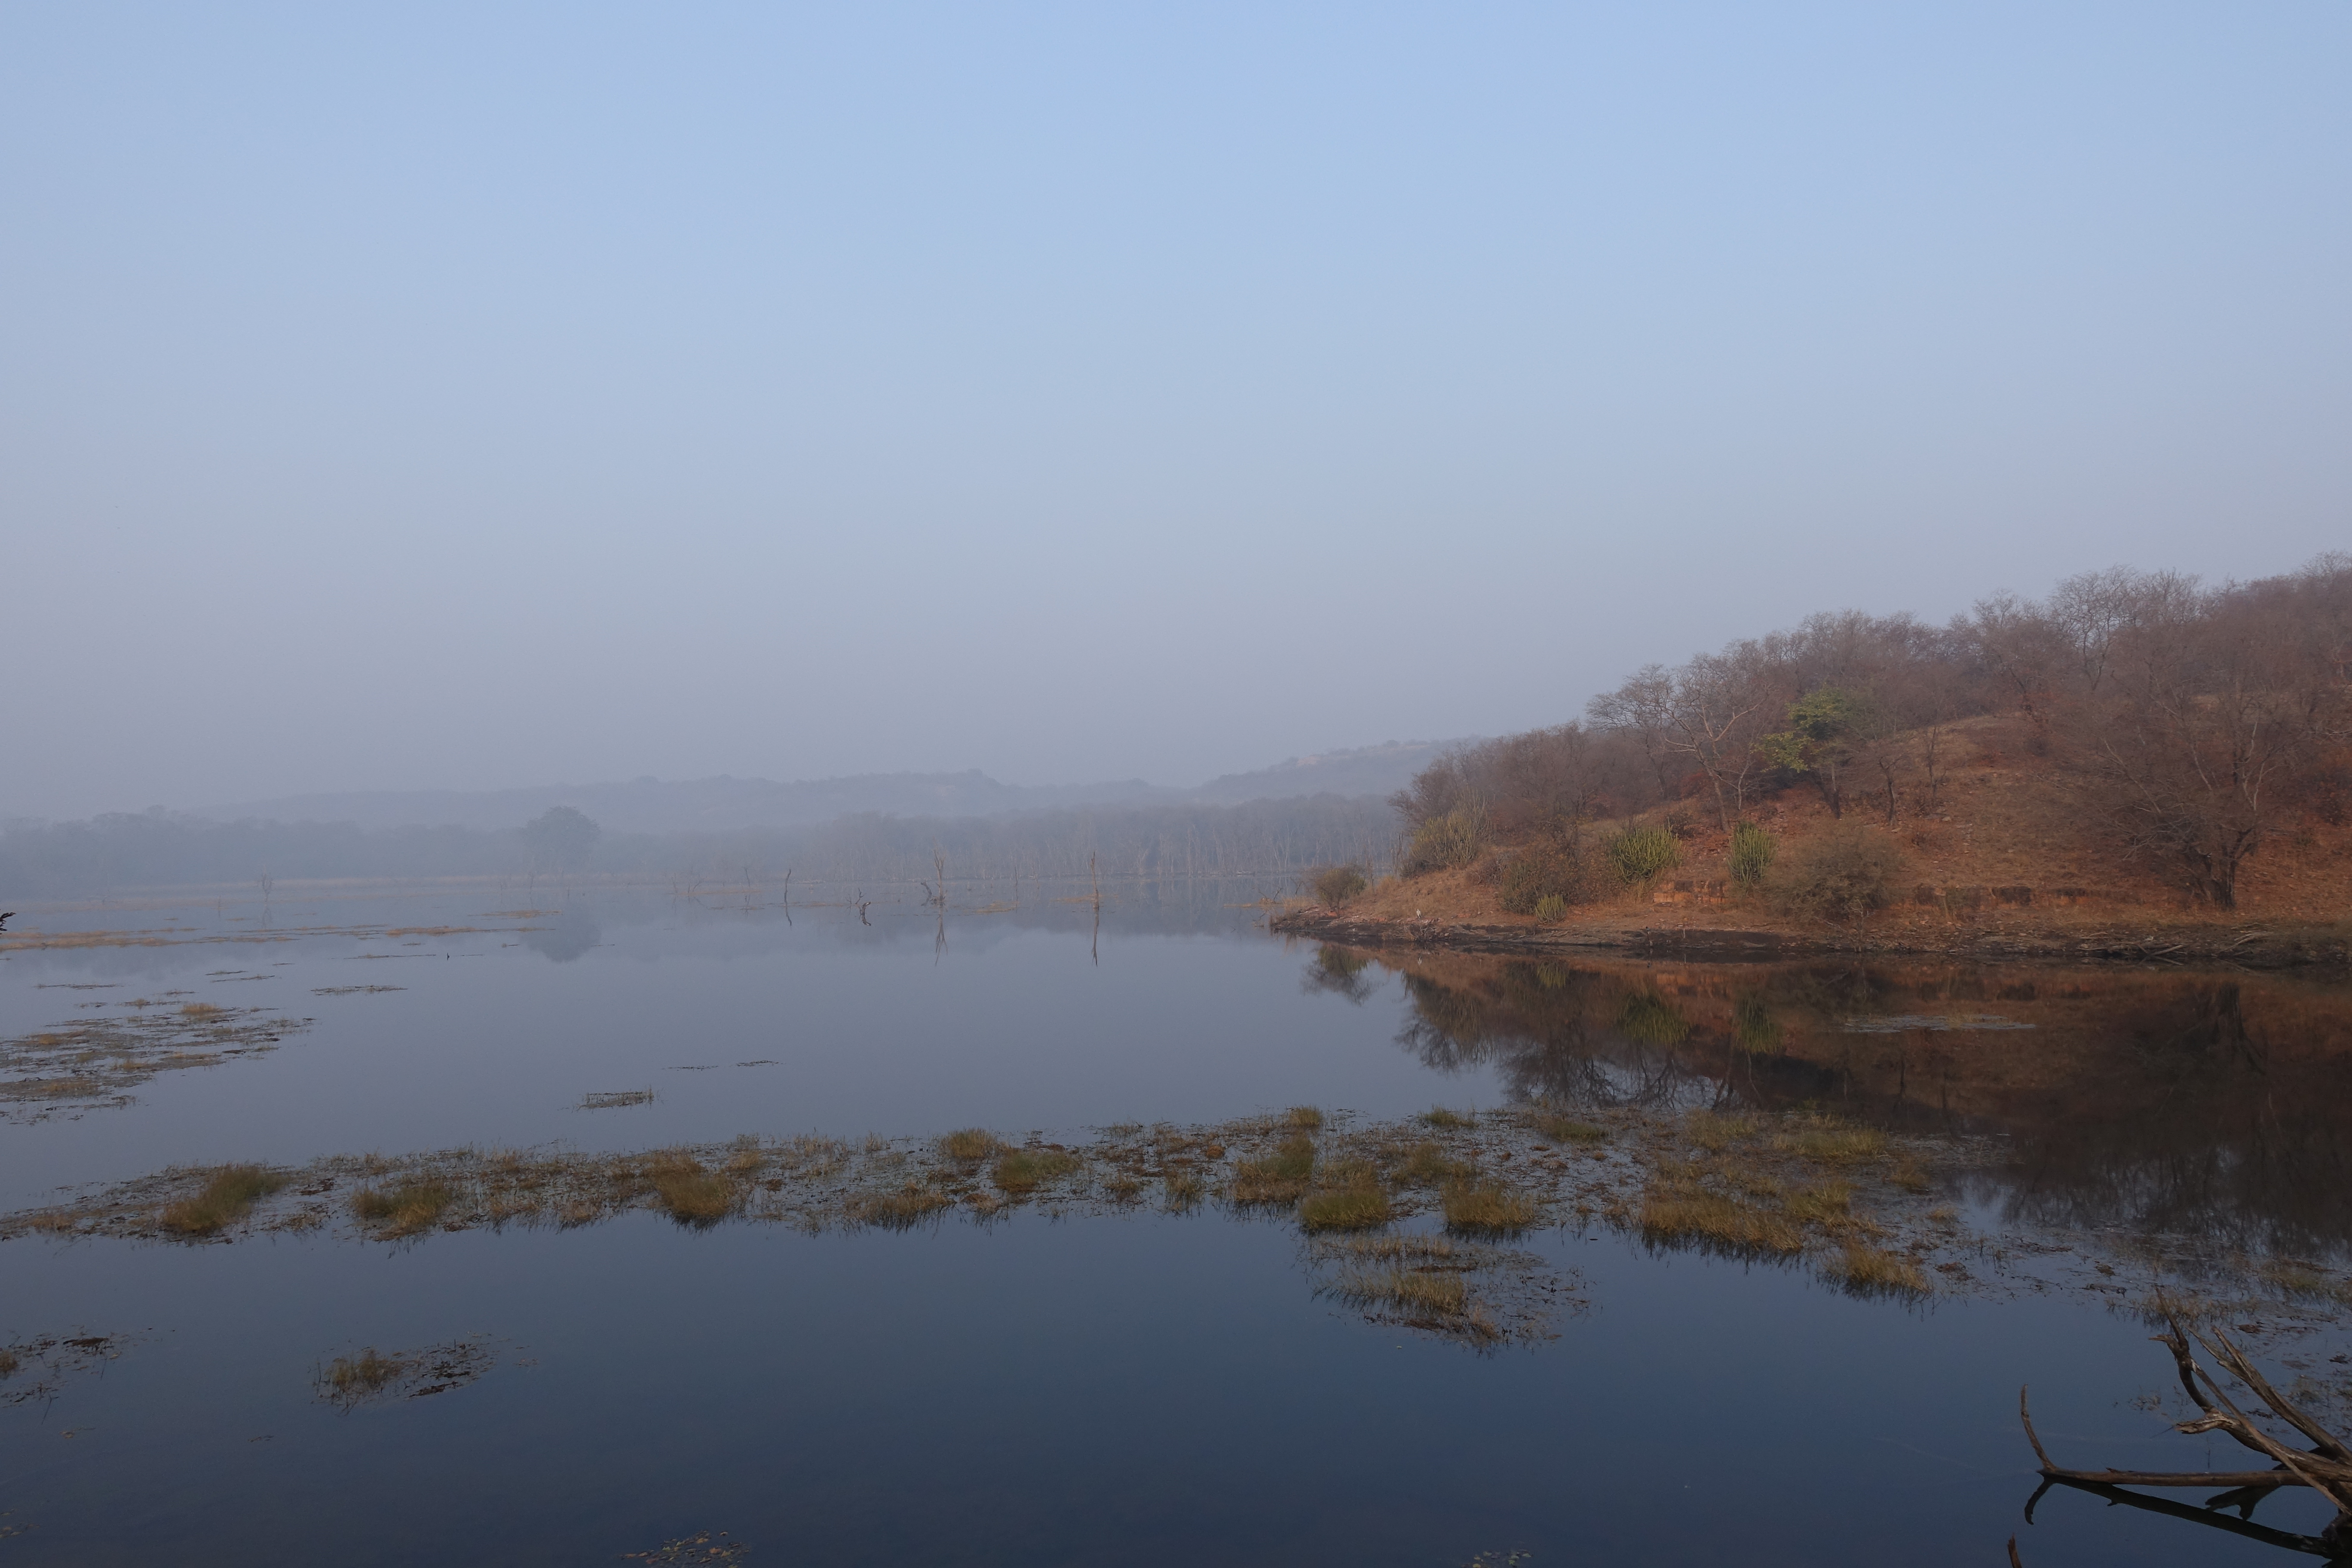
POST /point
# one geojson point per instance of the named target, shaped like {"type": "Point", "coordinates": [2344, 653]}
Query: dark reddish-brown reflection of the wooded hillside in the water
{"type": "Point", "coordinates": [2207, 1104]}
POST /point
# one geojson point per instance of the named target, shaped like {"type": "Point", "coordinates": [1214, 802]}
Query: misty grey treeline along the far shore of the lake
{"type": "Point", "coordinates": [1177, 840]}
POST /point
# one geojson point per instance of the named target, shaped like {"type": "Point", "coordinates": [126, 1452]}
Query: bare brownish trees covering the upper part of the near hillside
{"type": "Point", "coordinates": [2186, 723]}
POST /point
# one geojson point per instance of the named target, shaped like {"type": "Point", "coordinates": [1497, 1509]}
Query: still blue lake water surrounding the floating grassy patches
{"type": "Point", "coordinates": [1093, 1388]}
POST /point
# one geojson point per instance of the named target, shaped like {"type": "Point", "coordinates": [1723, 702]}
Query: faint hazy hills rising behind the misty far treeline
{"type": "Point", "coordinates": [704, 805]}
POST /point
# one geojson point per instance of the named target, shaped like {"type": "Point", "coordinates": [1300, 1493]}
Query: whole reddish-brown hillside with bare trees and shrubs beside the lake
{"type": "Point", "coordinates": [2170, 775]}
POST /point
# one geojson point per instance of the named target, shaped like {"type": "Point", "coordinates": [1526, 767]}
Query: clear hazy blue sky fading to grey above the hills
{"type": "Point", "coordinates": [483, 396]}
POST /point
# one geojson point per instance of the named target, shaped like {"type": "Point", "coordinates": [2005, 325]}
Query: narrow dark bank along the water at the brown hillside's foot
{"type": "Point", "coordinates": [2219, 944]}
